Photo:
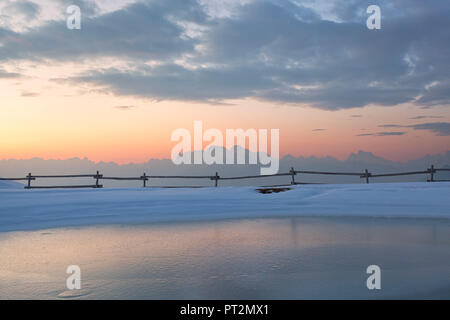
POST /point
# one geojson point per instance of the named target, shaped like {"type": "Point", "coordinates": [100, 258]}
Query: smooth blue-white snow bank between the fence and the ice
{"type": "Point", "coordinates": [40, 209]}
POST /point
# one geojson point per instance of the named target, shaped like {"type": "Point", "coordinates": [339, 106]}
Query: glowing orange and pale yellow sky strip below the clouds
{"type": "Point", "coordinates": [61, 126]}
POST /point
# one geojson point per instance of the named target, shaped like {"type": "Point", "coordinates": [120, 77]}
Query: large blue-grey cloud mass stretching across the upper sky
{"type": "Point", "coordinates": [275, 51]}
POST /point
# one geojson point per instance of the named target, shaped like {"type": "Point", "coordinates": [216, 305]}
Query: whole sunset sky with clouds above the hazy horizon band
{"type": "Point", "coordinates": [137, 70]}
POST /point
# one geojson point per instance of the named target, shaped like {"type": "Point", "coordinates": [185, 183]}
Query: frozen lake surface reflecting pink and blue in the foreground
{"type": "Point", "coordinates": [284, 258]}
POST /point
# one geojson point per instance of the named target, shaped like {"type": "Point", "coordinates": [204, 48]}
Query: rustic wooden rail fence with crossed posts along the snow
{"type": "Point", "coordinates": [366, 175]}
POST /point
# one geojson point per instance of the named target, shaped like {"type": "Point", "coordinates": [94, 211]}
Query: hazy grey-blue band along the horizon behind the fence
{"type": "Point", "coordinates": [356, 162]}
